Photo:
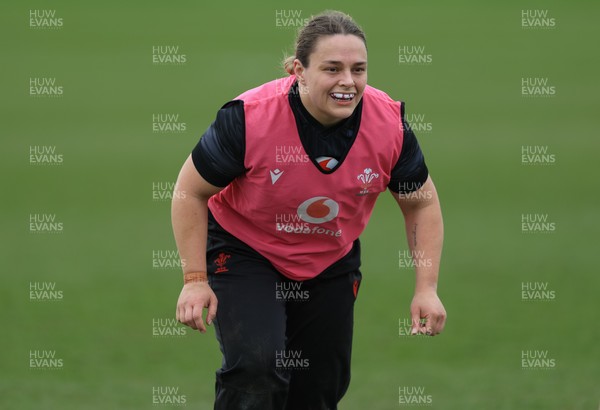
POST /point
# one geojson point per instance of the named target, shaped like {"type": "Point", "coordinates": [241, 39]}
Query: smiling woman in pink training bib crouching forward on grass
{"type": "Point", "coordinates": [278, 191]}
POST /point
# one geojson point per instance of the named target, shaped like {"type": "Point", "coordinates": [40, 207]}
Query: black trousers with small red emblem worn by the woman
{"type": "Point", "coordinates": [286, 344]}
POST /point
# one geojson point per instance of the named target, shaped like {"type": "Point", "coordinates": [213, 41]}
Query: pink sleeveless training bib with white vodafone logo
{"type": "Point", "coordinates": [284, 207]}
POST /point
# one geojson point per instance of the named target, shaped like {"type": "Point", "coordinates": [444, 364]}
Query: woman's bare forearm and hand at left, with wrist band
{"type": "Point", "coordinates": [189, 217]}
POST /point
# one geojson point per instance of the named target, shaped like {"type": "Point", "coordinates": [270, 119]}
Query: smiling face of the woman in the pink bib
{"type": "Point", "coordinates": [333, 83]}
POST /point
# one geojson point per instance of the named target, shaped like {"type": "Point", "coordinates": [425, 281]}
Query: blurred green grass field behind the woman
{"type": "Point", "coordinates": [107, 178]}
